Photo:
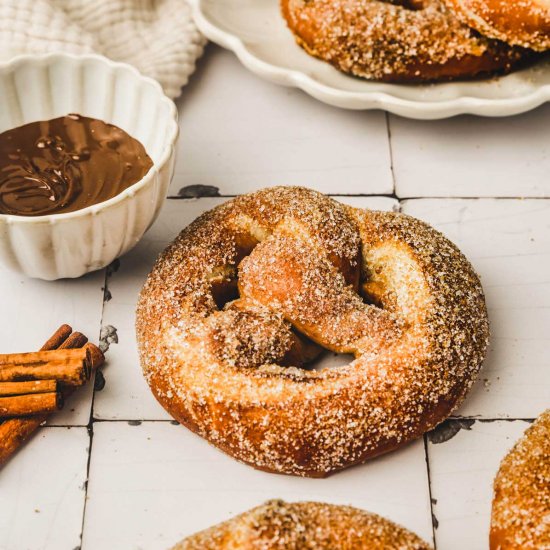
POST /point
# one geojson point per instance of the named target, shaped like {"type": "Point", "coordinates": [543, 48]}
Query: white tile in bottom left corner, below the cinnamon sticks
{"type": "Point", "coordinates": [42, 492]}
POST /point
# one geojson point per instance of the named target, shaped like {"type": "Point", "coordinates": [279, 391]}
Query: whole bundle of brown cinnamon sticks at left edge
{"type": "Point", "coordinates": [33, 385]}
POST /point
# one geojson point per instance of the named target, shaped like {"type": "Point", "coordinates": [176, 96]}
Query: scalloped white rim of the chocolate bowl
{"type": "Point", "coordinates": [129, 192]}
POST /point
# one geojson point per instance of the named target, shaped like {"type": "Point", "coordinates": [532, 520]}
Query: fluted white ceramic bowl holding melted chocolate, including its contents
{"type": "Point", "coordinates": [87, 150]}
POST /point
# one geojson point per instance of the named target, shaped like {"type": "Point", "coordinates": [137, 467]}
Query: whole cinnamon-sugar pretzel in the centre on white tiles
{"type": "Point", "coordinates": [252, 291]}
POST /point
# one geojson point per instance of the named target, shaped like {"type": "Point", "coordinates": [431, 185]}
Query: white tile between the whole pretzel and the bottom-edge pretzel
{"type": "Point", "coordinates": [171, 483]}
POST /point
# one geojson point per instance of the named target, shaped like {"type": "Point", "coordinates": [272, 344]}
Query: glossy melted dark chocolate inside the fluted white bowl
{"type": "Point", "coordinates": [66, 164]}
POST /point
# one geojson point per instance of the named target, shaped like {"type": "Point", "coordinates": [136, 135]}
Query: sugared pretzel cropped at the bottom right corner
{"type": "Point", "coordinates": [520, 518]}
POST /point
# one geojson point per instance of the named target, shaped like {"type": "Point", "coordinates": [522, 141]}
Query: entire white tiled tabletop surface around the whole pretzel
{"type": "Point", "coordinates": [113, 472]}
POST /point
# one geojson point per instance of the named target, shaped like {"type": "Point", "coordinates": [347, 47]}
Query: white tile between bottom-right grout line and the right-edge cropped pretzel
{"type": "Point", "coordinates": [461, 473]}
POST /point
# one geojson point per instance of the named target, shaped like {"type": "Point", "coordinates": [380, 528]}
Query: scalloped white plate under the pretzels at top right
{"type": "Point", "coordinates": [257, 33]}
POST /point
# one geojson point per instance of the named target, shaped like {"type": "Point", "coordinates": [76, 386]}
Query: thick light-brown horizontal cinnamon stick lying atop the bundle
{"type": "Point", "coordinates": [68, 366]}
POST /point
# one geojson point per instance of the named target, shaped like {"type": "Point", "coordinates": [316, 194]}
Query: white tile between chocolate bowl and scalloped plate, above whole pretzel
{"type": "Point", "coordinates": [239, 133]}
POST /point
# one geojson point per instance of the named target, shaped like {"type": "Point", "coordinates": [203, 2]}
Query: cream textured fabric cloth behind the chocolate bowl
{"type": "Point", "coordinates": [158, 37]}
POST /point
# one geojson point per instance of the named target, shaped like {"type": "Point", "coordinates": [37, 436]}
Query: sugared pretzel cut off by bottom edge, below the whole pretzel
{"type": "Point", "coordinates": [277, 525]}
